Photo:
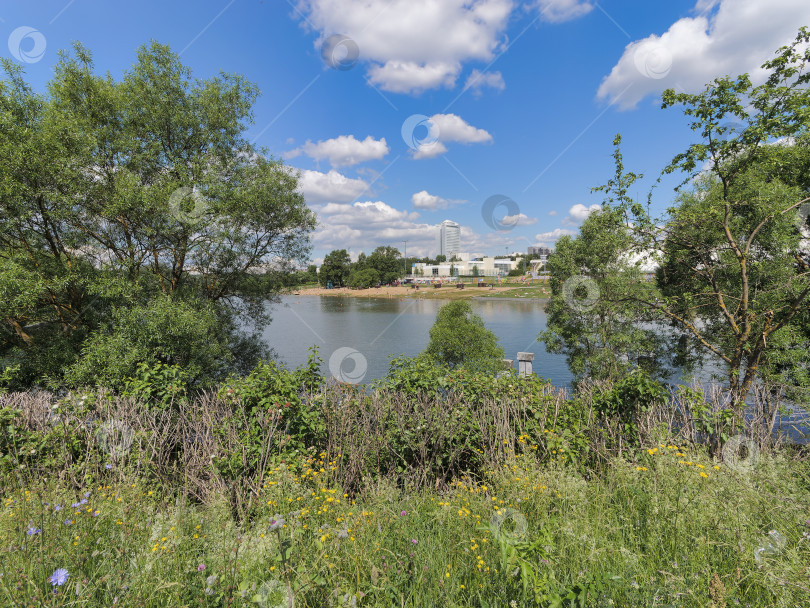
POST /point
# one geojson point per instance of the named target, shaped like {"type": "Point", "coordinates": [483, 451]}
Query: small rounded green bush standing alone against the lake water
{"type": "Point", "coordinates": [459, 338]}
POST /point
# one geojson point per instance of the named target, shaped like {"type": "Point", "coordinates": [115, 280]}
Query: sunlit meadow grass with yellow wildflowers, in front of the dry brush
{"type": "Point", "coordinates": [658, 534]}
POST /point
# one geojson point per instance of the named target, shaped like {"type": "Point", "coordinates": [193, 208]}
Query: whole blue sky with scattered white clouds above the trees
{"type": "Point", "coordinates": [499, 98]}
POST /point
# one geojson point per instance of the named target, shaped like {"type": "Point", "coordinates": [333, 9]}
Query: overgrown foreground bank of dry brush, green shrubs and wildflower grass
{"type": "Point", "coordinates": [502, 492]}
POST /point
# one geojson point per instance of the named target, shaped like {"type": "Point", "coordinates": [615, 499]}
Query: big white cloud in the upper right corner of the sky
{"type": "Point", "coordinates": [725, 37]}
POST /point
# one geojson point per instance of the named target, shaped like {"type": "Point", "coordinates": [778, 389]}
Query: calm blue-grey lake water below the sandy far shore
{"type": "Point", "coordinates": [379, 328]}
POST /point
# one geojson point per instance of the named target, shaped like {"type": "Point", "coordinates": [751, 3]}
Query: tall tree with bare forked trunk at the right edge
{"type": "Point", "coordinates": [734, 273]}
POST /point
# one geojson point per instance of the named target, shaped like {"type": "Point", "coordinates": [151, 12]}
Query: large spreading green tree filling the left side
{"type": "Point", "coordinates": [124, 193]}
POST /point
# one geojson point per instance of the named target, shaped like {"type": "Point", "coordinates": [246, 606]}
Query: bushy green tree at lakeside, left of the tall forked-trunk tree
{"type": "Point", "coordinates": [593, 317]}
